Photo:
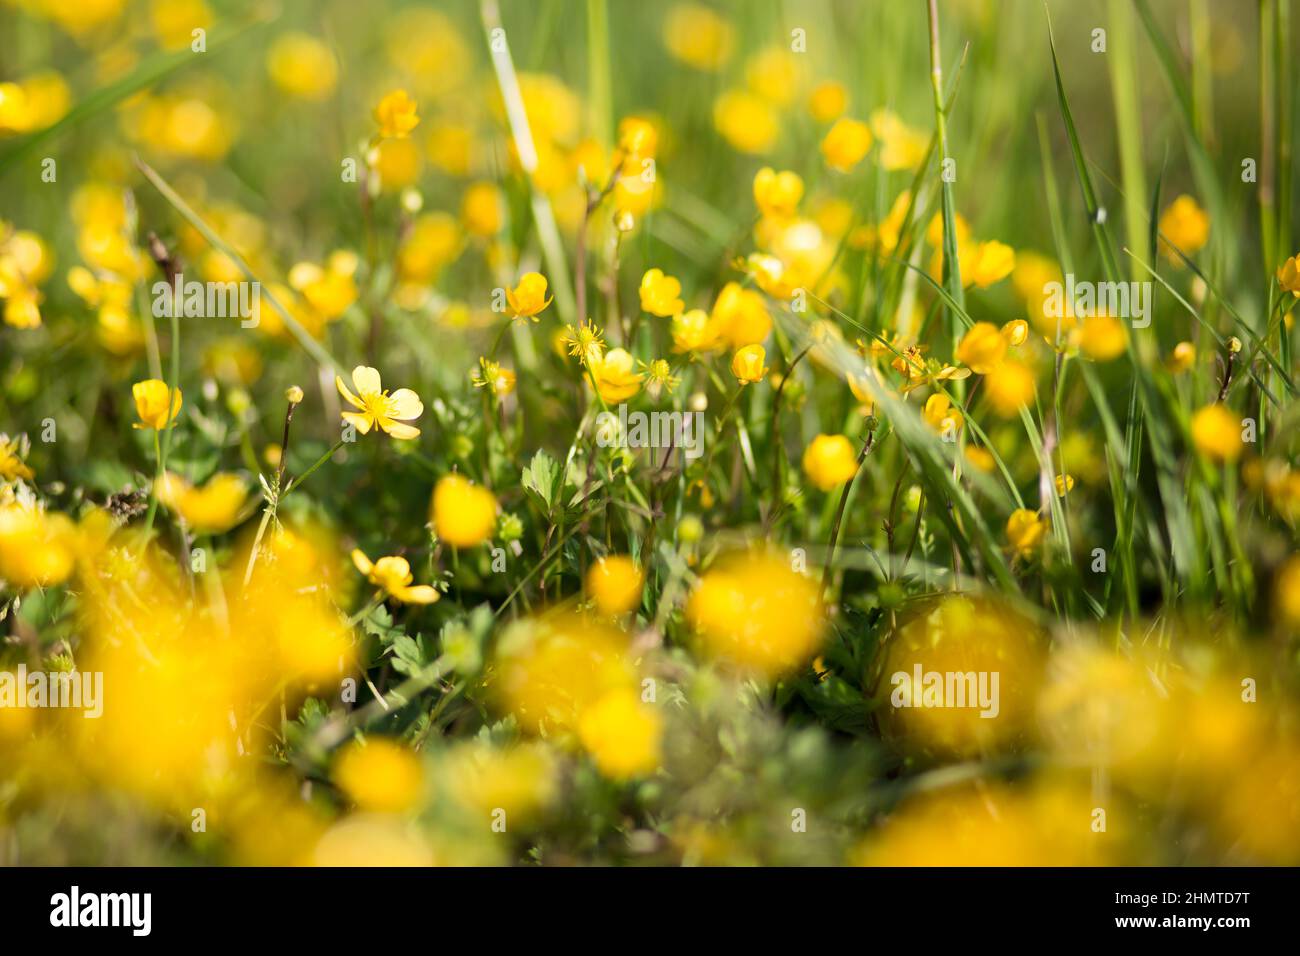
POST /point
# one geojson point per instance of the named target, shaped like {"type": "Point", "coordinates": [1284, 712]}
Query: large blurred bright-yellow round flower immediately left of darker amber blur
{"type": "Point", "coordinates": [759, 615]}
